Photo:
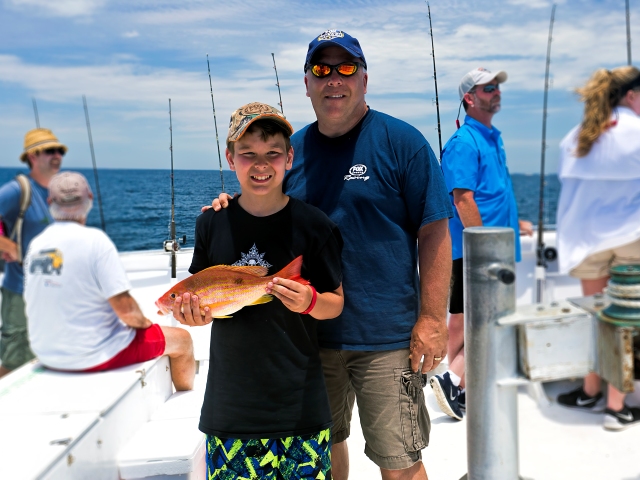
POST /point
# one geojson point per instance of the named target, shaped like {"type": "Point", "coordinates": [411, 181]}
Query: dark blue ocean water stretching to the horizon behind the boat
{"type": "Point", "coordinates": [137, 203]}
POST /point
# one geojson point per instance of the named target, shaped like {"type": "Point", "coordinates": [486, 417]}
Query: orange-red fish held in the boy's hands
{"type": "Point", "coordinates": [227, 289]}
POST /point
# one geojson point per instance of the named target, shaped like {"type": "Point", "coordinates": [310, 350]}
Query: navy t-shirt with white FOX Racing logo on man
{"type": "Point", "coordinates": [379, 183]}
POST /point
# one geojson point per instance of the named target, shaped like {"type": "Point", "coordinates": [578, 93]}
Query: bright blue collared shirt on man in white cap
{"type": "Point", "coordinates": [474, 159]}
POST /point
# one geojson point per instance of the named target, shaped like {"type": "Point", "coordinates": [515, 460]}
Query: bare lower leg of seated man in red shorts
{"type": "Point", "coordinates": [179, 349]}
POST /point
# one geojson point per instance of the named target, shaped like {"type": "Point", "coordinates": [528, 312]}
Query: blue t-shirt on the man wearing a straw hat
{"type": "Point", "coordinates": [36, 219]}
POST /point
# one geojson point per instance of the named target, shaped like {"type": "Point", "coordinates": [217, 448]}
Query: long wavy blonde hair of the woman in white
{"type": "Point", "coordinates": [601, 95]}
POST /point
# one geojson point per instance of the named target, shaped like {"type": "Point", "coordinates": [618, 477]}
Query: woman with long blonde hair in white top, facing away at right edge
{"type": "Point", "coordinates": [598, 222]}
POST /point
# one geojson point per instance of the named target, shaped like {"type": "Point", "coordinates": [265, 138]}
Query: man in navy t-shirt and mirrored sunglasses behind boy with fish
{"type": "Point", "coordinates": [377, 178]}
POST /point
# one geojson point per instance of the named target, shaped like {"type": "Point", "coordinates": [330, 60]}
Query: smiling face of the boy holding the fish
{"type": "Point", "coordinates": [260, 165]}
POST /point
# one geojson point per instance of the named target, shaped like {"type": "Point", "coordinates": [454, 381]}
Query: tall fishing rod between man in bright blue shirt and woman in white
{"type": "Point", "coordinates": [542, 260]}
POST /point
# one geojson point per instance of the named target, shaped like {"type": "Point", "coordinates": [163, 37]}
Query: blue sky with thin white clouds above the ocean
{"type": "Point", "coordinates": [129, 57]}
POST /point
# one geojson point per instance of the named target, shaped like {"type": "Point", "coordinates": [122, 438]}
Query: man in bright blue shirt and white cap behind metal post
{"type": "Point", "coordinates": [475, 170]}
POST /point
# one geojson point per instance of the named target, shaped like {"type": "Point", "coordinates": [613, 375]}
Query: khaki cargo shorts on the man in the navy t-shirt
{"type": "Point", "coordinates": [391, 403]}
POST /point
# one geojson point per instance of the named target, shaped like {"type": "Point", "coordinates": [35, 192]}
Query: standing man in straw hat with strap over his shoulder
{"type": "Point", "coordinates": [43, 154]}
